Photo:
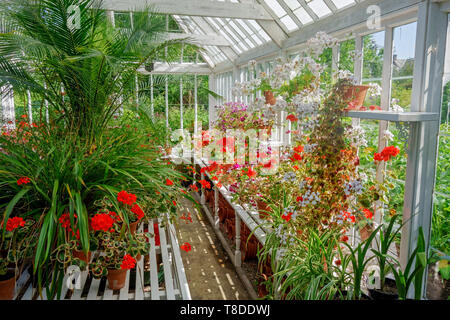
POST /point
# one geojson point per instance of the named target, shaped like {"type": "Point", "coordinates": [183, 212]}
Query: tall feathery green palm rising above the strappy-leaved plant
{"type": "Point", "coordinates": [85, 72]}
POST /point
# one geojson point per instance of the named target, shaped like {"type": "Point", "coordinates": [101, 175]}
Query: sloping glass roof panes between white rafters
{"type": "Point", "coordinates": [244, 35]}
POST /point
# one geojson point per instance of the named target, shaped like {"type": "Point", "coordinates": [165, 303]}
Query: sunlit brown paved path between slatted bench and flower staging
{"type": "Point", "coordinates": [210, 273]}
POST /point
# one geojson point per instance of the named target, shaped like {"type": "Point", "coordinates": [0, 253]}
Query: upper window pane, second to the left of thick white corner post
{"type": "Point", "coordinates": [373, 52]}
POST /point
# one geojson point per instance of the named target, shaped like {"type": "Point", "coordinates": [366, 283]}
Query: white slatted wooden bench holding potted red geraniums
{"type": "Point", "coordinates": [165, 282]}
